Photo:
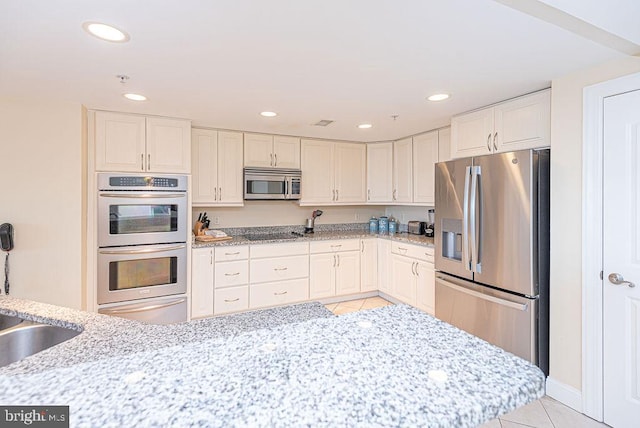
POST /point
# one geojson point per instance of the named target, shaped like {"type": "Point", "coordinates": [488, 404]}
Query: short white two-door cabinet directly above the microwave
{"type": "Point", "coordinates": [271, 151]}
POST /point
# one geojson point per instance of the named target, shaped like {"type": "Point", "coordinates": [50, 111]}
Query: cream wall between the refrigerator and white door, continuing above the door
{"type": "Point", "coordinates": [566, 212]}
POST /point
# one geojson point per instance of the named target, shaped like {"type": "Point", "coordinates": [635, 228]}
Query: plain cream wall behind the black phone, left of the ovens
{"type": "Point", "coordinates": [41, 184]}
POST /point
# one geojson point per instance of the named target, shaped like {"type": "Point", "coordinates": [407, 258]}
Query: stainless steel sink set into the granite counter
{"type": "Point", "coordinates": [27, 338]}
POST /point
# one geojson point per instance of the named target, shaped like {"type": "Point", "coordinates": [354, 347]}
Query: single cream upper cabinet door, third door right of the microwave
{"type": "Point", "coordinates": [379, 172]}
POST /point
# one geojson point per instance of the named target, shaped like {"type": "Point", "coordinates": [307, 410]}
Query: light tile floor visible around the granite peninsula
{"type": "Point", "coordinates": [543, 413]}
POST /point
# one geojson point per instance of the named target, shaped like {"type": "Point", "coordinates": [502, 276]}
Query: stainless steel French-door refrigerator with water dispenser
{"type": "Point", "coordinates": [492, 250]}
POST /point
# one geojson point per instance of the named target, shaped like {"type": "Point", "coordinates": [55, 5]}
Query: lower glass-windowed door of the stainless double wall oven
{"type": "Point", "coordinates": [141, 271]}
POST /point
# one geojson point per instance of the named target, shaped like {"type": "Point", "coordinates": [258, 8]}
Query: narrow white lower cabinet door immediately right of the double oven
{"type": "Point", "coordinates": [202, 282]}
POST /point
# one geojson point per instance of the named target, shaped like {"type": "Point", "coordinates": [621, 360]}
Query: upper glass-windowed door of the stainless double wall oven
{"type": "Point", "coordinates": [134, 218]}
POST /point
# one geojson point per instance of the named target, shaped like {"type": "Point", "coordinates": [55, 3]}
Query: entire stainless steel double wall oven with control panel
{"type": "Point", "coordinates": [142, 247]}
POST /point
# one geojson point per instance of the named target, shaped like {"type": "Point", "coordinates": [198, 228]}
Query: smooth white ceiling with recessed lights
{"type": "Point", "coordinates": [220, 63]}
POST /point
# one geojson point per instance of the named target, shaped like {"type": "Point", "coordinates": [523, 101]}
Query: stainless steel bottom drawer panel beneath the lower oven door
{"type": "Point", "coordinates": [159, 310]}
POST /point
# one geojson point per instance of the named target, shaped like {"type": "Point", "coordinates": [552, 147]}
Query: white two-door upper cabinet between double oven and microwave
{"type": "Point", "coordinates": [217, 168]}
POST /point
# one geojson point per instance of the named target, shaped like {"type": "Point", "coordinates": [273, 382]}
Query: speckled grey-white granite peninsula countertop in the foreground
{"type": "Point", "coordinates": [392, 366]}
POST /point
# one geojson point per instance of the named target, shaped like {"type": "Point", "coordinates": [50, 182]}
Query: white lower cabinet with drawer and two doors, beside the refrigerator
{"type": "Point", "coordinates": [413, 275]}
